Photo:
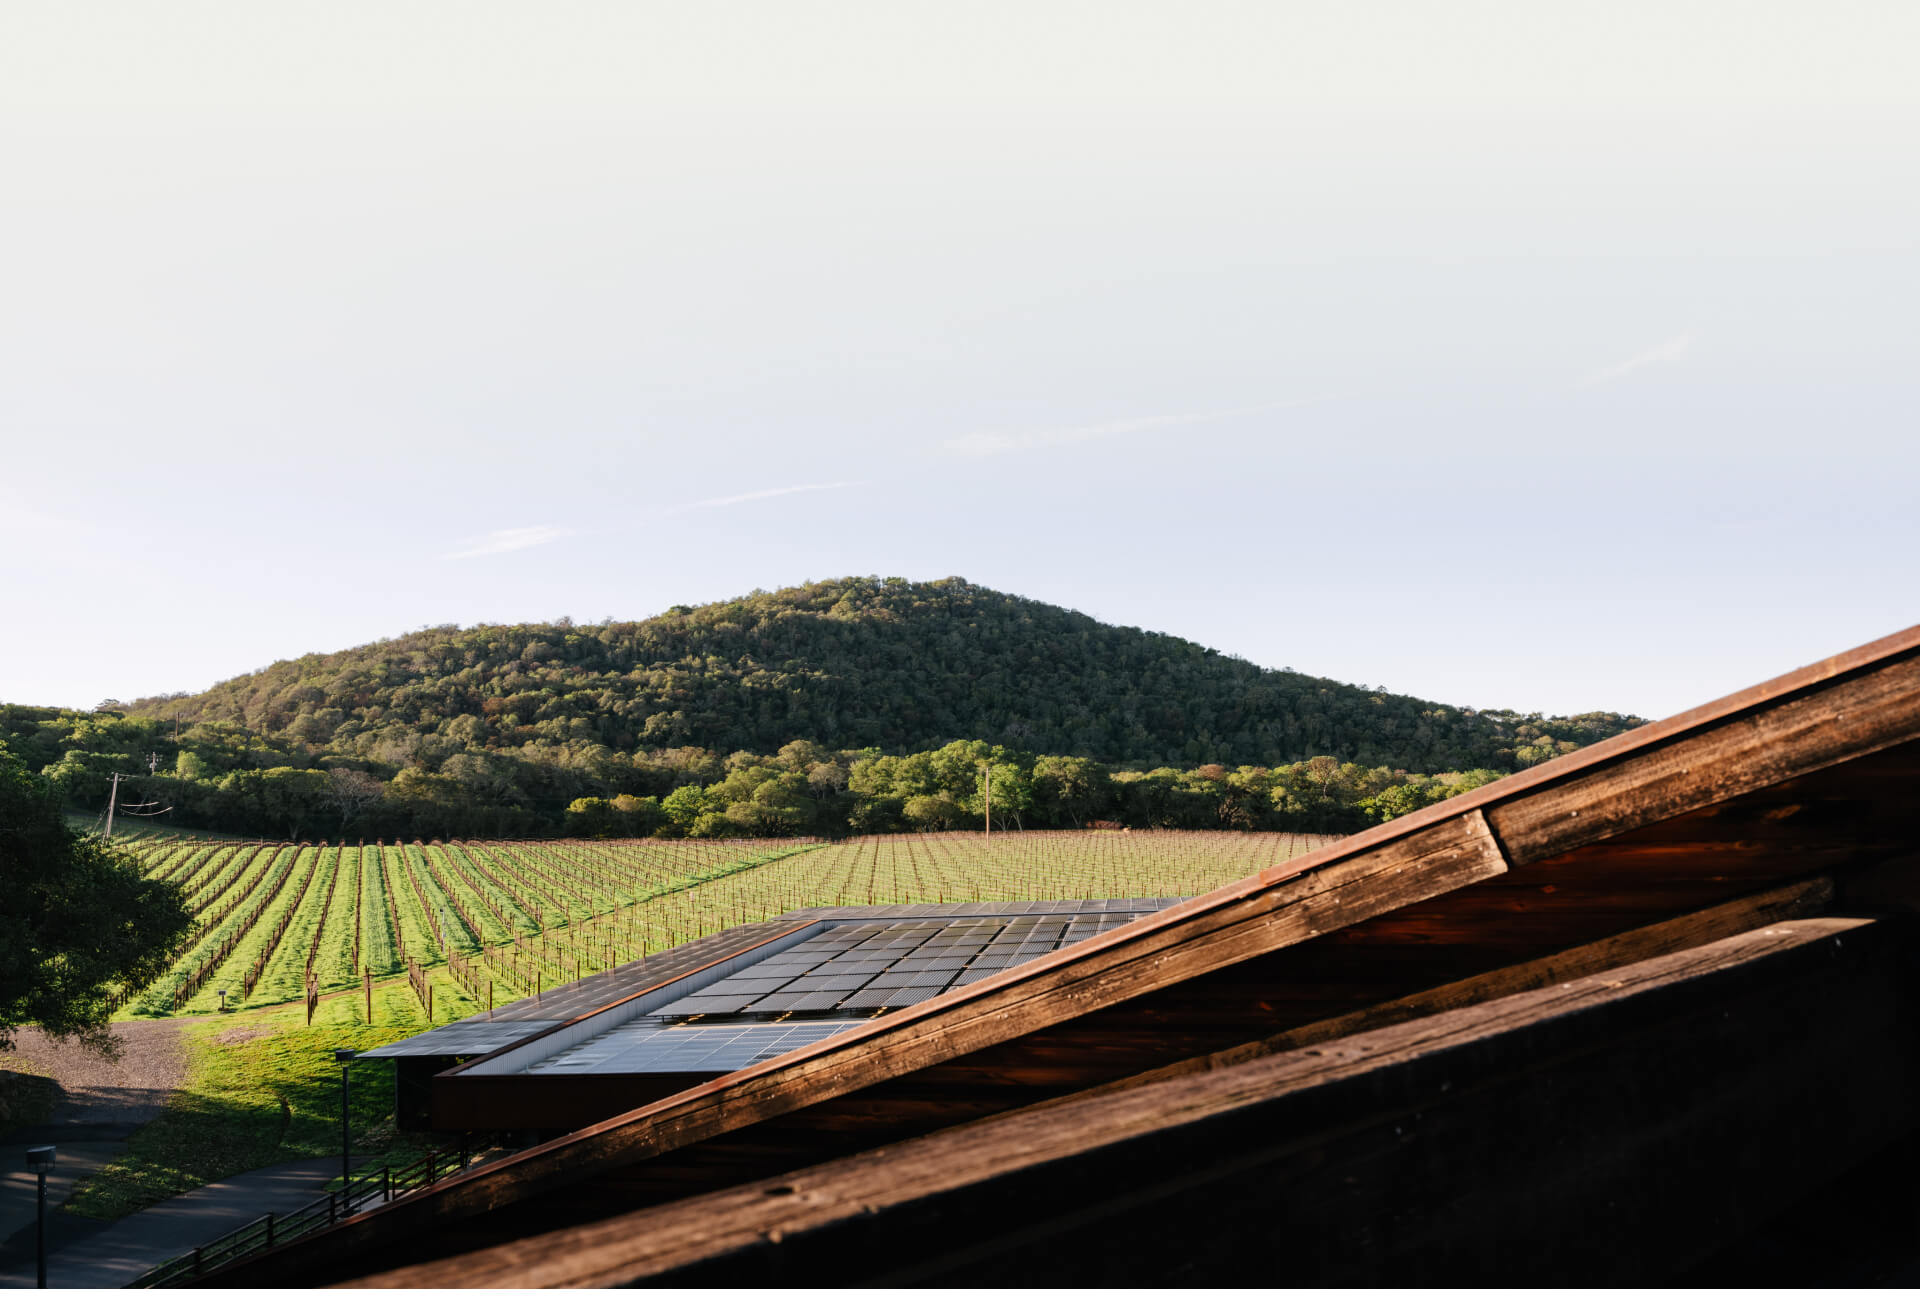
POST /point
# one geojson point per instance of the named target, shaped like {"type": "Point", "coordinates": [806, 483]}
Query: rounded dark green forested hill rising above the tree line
{"type": "Point", "coordinates": [850, 665]}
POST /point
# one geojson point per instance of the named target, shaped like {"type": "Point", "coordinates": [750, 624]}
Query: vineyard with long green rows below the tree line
{"type": "Point", "coordinates": [277, 924]}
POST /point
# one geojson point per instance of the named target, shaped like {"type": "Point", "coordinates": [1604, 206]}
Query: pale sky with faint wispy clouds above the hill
{"type": "Point", "coordinates": [1550, 358]}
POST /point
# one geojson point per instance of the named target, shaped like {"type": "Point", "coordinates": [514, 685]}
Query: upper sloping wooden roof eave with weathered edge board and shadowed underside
{"type": "Point", "coordinates": [1754, 795]}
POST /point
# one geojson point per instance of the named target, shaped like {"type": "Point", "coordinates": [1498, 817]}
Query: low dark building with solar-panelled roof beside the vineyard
{"type": "Point", "coordinates": [729, 1001]}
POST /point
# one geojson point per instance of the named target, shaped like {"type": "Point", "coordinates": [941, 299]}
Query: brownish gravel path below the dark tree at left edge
{"type": "Point", "coordinates": [99, 1099]}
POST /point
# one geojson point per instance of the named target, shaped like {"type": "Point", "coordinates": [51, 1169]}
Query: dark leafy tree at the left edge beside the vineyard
{"type": "Point", "coordinates": [76, 918]}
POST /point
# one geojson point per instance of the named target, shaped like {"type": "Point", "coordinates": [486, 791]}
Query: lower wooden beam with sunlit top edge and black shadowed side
{"type": "Point", "coordinates": [1157, 1173]}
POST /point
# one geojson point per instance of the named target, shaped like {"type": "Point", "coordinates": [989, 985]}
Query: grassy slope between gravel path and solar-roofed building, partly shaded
{"type": "Point", "coordinates": [262, 1089]}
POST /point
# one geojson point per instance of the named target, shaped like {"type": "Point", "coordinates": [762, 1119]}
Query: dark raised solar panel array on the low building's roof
{"type": "Point", "coordinates": [876, 966]}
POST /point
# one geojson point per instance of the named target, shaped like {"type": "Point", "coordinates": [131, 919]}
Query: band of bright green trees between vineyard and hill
{"type": "Point", "coordinates": [214, 780]}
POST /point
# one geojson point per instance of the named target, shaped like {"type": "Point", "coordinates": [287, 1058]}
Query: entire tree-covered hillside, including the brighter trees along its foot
{"type": "Point", "coordinates": [857, 705]}
